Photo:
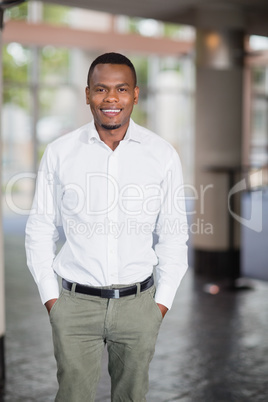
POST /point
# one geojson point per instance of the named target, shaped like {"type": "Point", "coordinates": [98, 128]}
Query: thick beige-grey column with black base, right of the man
{"type": "Point", "coordinates": [218, 144]}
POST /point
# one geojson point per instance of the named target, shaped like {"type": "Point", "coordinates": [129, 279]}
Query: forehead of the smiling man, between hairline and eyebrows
{"type": "Point", "coordinates": [112, 74]}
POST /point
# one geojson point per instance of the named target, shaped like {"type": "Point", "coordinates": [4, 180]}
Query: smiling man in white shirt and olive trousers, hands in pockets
{"type": "Point", "coordinates": [112, 185]}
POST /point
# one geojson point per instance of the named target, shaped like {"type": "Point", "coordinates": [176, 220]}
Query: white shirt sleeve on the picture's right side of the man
{"type": "Point", "coordinates": [172, 232]}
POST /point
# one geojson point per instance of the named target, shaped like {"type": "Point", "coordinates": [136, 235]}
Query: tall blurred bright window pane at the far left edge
{"type": "Point", "coordinates": [17, 148]}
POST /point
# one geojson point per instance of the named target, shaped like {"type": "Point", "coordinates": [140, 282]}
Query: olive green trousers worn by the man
{"type": "Point", "coordinates": [82, 325]}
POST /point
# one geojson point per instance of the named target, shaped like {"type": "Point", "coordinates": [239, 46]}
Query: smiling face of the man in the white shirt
{"type": "Point", "coordinates": [111, 95]}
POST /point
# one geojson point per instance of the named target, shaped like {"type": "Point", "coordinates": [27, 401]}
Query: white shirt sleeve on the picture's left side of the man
{"type": "Point", "coordinates": [41, 231]}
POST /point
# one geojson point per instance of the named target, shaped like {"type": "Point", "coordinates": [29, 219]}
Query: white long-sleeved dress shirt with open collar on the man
{"type": "Point", "coordinates": [110, 204]}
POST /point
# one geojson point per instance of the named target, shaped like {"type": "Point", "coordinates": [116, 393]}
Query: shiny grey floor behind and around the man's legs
{"type": "Point", "coordinates": [211, 348]}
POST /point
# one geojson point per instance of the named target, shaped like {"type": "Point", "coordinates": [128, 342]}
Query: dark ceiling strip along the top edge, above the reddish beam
{"type": "Point", "coordinates": [249, 15]}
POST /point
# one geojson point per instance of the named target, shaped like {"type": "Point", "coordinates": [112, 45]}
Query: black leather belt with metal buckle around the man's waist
{"type": "Point", "coordinates": [109, 293]}
